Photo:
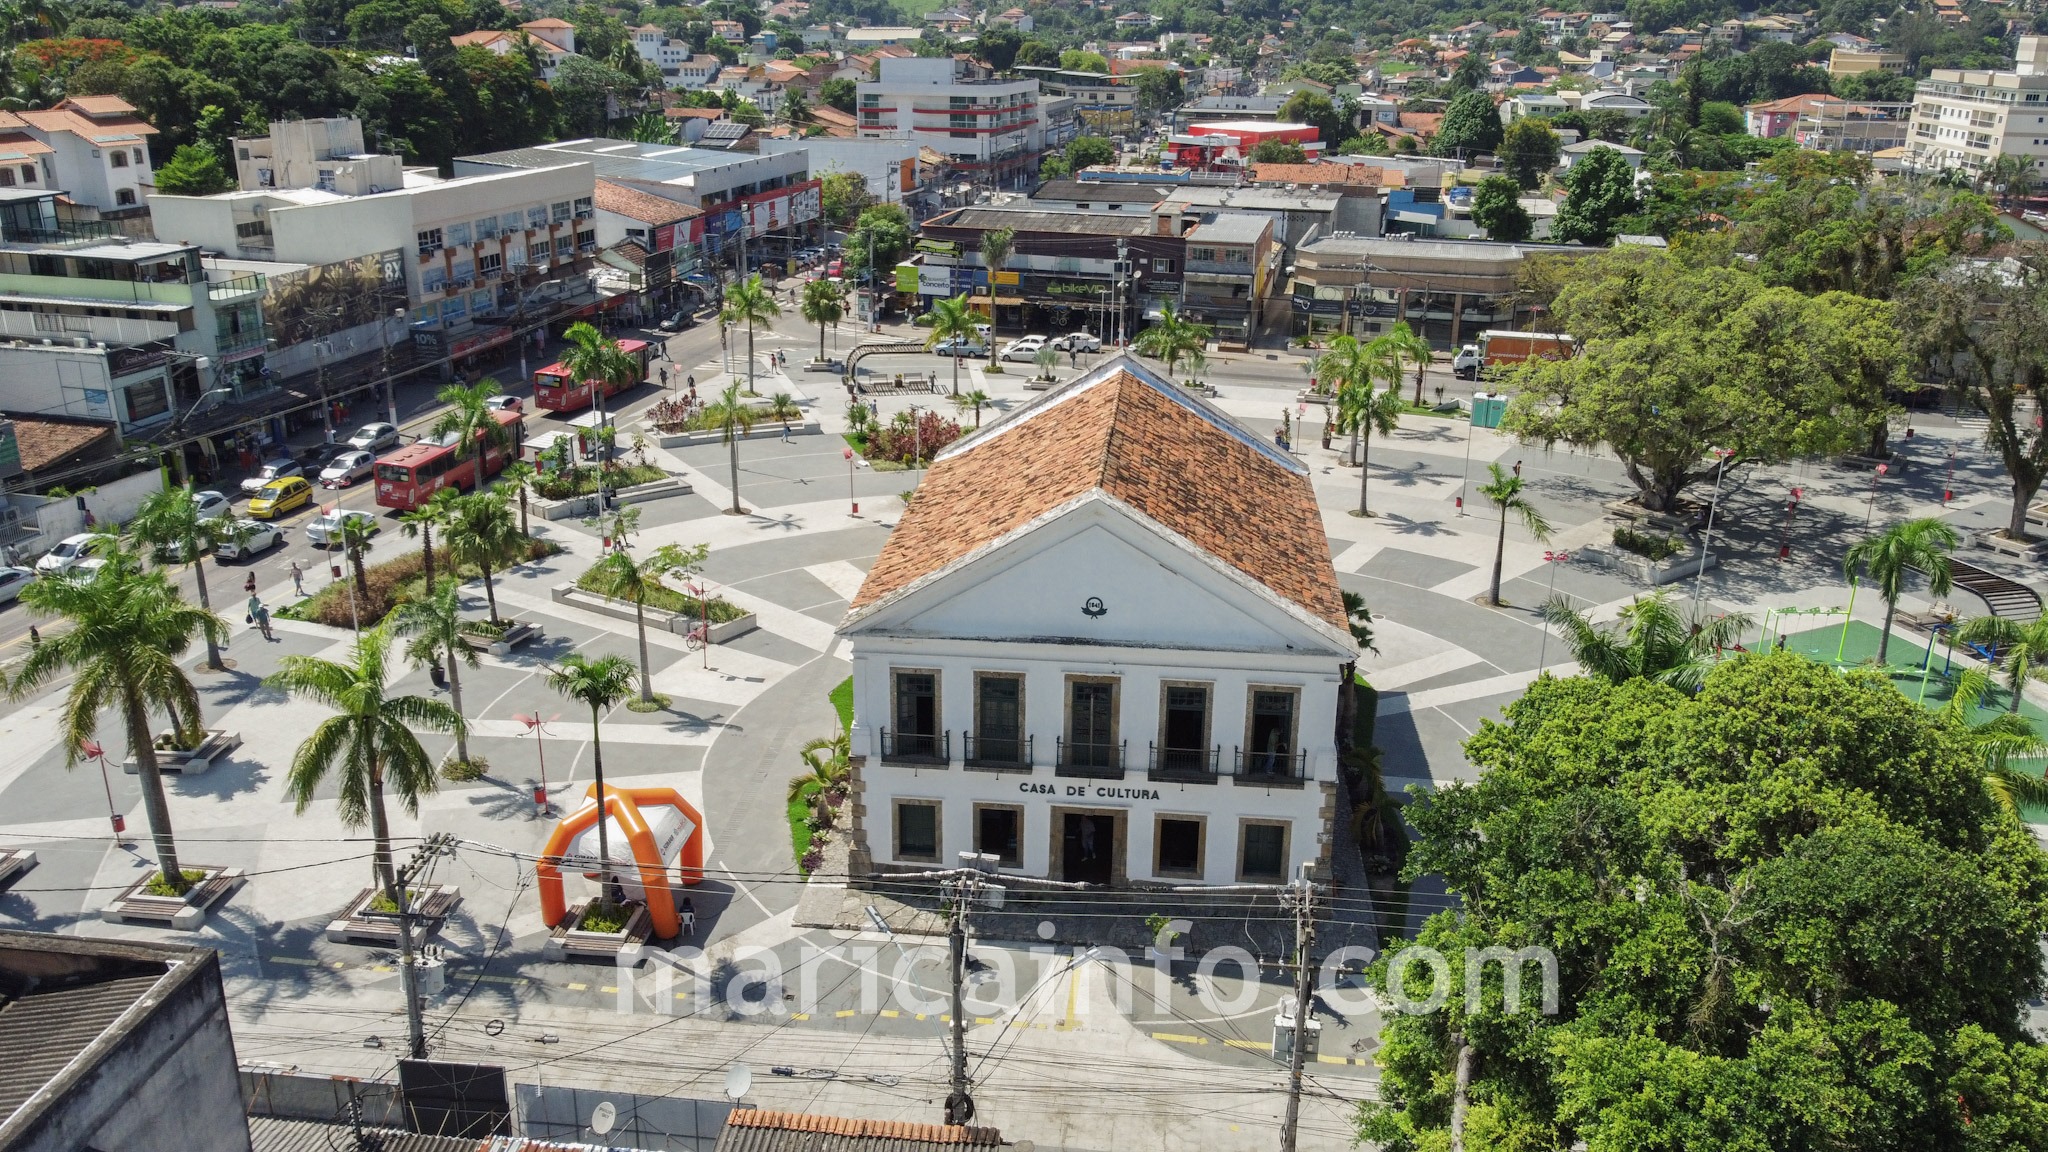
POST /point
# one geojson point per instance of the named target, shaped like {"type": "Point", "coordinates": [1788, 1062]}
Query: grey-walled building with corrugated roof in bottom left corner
{"type": "Point", "coordinates": [116, 1044]}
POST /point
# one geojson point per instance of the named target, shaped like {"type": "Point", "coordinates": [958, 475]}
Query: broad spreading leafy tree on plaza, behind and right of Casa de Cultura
{"type": "Point", "coordinates": [1687, 358]}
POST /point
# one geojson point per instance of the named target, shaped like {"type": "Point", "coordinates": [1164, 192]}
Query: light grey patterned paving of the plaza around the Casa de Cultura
{"type": "Point", "coordinates": [1068, 1067]}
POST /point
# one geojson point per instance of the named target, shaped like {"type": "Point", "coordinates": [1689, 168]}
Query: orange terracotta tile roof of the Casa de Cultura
{"type": "Point", "coordinates": [1144, 442]}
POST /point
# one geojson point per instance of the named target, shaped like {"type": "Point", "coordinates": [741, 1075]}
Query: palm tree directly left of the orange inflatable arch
{"type": "Point", "coordinates": [374, 741]}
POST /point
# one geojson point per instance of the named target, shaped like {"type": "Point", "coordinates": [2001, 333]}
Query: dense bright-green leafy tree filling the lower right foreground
{"type": "Point", "coordinates": [1783, 911]}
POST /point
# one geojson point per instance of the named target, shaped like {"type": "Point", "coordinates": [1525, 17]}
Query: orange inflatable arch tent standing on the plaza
{"type": "Point", "coordinates": [646, 827]}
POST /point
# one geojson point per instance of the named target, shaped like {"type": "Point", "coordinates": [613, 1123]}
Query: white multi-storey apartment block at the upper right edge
{"type": "Point", "coordinates": [1967, 120]}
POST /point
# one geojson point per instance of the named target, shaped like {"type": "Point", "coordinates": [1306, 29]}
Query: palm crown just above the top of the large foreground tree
{"type": "Point", "coordinates": [1650, 641]}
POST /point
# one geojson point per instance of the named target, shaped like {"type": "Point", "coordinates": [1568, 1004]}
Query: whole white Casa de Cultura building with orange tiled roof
{"type": "Point", "coordinates": [1105, 645]}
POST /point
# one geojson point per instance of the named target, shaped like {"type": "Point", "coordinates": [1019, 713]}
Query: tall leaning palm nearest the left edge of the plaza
{"type": "Point", "coordinates": [128, 632]}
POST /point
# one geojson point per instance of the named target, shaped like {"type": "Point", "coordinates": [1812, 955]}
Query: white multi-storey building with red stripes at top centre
{"type": "Point", "coordinates": [988, 128]}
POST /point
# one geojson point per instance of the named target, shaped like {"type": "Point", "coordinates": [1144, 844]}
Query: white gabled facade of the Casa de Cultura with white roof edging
{"type": "Point", "coordinates": [1097, 698]}
